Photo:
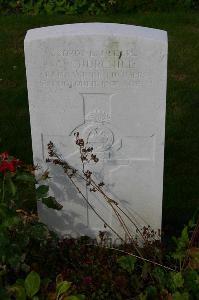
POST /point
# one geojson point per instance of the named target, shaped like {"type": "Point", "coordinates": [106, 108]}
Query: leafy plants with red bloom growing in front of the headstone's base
{"type": "Point", "coordinates": [36, 264]}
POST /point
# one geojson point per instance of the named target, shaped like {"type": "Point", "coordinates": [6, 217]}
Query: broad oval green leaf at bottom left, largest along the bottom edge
{"type": "Point", "coordinates": [32, 283]}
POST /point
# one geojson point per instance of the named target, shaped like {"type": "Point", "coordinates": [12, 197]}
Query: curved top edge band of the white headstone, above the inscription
{"type": "Point", "coordinates": [95, 29]}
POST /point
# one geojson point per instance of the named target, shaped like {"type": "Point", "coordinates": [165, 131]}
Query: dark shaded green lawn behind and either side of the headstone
{"type": "Point", "coordinates": [181, 188]}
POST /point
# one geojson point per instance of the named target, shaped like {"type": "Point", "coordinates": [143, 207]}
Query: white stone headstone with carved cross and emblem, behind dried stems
{"type": "Point", "coordinates": [107, 82]}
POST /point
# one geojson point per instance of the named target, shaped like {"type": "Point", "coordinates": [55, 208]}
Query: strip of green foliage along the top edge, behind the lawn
{"type": "Point", "coordinates": [35, 7]}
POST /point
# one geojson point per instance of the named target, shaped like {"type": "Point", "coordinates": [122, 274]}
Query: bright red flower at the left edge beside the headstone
{"type": "Point", "coordinates": [8, 164]}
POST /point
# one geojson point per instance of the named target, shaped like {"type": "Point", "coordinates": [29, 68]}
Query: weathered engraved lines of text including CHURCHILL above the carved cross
{"type": "Point", "coordinates": [92, 68]}
